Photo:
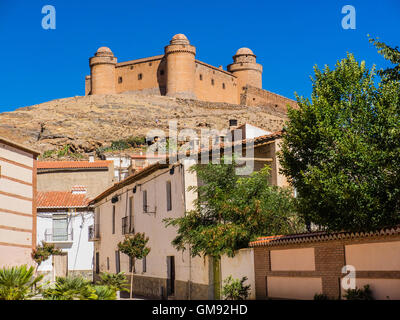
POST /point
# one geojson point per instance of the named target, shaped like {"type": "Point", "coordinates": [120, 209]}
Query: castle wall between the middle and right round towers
{"type": "Point", "coordinates": [206, 91]}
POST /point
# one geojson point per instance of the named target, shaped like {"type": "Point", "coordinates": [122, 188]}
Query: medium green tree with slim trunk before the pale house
{"type": "Point", "coordinates": [231, 211]}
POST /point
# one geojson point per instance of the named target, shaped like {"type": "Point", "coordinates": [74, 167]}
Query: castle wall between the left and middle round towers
{"type": "Point", "coordinates": [148, 74]}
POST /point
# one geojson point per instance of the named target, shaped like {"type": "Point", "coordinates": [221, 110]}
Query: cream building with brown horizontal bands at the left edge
{"type": "Point", "coordinates": [17, 203]}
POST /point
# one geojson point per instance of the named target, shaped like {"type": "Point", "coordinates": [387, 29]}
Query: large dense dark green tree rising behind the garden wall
{"type": "Point", "coordinates": [341, 149]}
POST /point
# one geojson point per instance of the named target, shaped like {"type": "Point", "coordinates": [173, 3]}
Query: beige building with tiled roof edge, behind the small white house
{"type": "Point", "coordinates": [63, 175]}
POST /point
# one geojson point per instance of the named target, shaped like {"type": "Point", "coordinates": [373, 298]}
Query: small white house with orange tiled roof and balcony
{"type": "Point", "coordinates": [64, 219]}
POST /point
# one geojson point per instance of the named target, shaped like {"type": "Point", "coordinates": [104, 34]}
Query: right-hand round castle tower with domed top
{"type": "Point", "coordinates": [246, 69]}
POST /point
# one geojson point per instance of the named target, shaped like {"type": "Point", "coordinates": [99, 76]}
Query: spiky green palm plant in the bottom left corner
{"type": "Point", "coordinates": [18, 283]}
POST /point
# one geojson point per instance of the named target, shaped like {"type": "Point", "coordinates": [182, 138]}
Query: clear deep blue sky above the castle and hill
{"type": "Point", "coordinates": [288, 37]}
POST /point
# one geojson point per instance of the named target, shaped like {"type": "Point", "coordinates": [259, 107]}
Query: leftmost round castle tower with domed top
{"type": "Point", "coordinates": [102, 71]}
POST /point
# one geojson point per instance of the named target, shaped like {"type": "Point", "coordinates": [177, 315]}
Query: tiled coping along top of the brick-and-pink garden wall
{"type": "Point", "coordinates": [320, 236]}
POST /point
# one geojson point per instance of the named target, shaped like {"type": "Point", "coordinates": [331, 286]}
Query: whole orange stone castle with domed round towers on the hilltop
{"type": "Point", "coordinates": [177, 73]}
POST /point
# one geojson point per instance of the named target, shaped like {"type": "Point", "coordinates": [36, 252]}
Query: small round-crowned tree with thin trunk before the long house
{"type": "Point", "coordinates": [134, 246]}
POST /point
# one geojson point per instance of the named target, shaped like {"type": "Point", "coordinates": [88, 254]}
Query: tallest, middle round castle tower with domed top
{"type": "Point", "coordinates": [181, 68]}
